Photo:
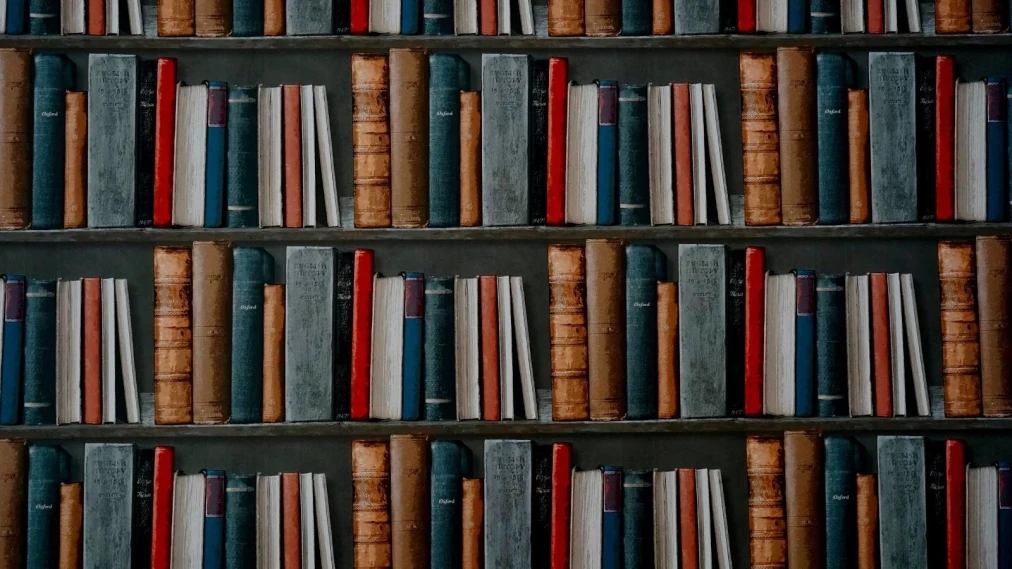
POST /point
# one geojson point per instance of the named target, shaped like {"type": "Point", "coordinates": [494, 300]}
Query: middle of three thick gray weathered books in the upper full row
{"type": "Point", "coordinates": [505, 139]}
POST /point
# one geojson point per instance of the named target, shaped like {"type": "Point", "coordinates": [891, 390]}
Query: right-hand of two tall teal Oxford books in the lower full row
{"type": "Point", "coordinates": [641, 332]}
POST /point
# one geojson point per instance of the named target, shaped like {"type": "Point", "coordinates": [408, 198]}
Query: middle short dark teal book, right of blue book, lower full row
{"type": "Point", "coordinates": [441, 389]}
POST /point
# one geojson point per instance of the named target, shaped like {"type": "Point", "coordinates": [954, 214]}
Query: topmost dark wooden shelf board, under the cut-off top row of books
{"type": "Point", "coordinates": [495, 43]}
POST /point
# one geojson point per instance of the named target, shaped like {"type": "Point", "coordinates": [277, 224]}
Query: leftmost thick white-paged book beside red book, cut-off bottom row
{"type": "Point", "coordinates": [188, 522]}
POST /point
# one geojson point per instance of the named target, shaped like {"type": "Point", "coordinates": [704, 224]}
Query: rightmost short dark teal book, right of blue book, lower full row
{"type": "Point", "coordinates": [831, 346]}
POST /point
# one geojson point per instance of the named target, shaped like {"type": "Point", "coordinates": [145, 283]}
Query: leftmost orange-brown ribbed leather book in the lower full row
{"type": "Point", "coordinates": [174, 337]}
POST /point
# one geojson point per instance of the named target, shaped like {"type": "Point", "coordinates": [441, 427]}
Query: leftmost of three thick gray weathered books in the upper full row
{"type": "Point", "coordinates": [113, 147]}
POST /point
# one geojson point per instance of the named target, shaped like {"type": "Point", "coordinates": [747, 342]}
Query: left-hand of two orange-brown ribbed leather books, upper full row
{"type": "Point", "coordinates": [371, 140]}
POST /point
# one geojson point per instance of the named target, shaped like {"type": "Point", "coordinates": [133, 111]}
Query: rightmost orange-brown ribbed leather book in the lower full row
{"type": "Point", "coordinates": [961, 348]}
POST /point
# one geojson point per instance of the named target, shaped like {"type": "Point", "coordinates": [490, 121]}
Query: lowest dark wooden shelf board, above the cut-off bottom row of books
{"type": "Point", "coordinates": [507, 429]}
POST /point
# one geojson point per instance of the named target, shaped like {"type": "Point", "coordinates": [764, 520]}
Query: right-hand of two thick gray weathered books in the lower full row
{"type": "Point", "coordinates": [703, 277]}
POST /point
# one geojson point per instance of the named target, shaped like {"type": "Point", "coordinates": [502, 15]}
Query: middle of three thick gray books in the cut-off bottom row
{"type": "Point", "coordinates": [508, 505]}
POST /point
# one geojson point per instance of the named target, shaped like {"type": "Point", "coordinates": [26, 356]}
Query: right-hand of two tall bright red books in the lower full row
{"type": "Point", "coordinates": [755, 329]}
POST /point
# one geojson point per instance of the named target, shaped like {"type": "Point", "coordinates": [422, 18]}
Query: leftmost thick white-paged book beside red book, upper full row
{"type": "Point", "coordinates": [191, 155]}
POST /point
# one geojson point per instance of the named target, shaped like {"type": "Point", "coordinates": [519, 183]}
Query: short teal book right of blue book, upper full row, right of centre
{"type": "Point", "coordinates": [634, 157]}
